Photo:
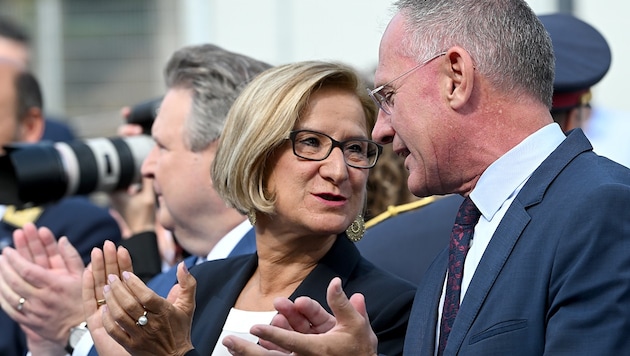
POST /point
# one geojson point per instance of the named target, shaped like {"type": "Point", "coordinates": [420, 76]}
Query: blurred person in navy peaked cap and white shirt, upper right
{"type": "Point", "coordinates": [583, 58]}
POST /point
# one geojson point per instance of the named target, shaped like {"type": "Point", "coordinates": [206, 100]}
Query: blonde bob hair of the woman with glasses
{"type": "Point", "coordinates": [261, 119]}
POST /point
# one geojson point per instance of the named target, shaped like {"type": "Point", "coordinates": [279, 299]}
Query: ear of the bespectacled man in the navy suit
{"type": "Point", "coordinates": [461, 74]}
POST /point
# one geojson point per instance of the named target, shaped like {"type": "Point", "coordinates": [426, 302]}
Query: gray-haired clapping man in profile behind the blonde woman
{"type": "Point", "coordinates": [202, 82]}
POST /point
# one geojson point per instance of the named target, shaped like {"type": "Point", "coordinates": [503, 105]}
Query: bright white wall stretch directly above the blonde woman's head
{"type": "Point", "coordinates": [281, 31]}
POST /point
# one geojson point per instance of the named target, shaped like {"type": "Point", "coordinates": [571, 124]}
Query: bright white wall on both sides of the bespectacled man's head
{"type": "Point", "coordinates": [281, 31]}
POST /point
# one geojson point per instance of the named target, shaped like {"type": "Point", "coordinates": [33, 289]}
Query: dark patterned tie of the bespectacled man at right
{"type": "Point", "coordinates": [467, 217]}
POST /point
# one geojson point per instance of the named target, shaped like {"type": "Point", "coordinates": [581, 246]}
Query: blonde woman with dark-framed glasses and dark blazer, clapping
{"type": "Point", "coordinates": [294, 156]}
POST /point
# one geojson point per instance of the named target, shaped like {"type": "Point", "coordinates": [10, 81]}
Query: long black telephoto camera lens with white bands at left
{"type": "Point", "coordinates": [45, 172]}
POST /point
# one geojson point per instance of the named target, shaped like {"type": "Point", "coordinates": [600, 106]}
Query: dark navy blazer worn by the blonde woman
{"type": "Point", "coordinates": [388, 298]}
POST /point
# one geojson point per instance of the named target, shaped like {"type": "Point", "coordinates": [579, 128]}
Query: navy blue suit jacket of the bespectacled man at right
{"type": "Point", "coordinates": [555, 277]}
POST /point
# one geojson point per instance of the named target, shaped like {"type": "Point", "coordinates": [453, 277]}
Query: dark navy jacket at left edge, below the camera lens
{"type": "Point", "coordinates": [86, 226]}
